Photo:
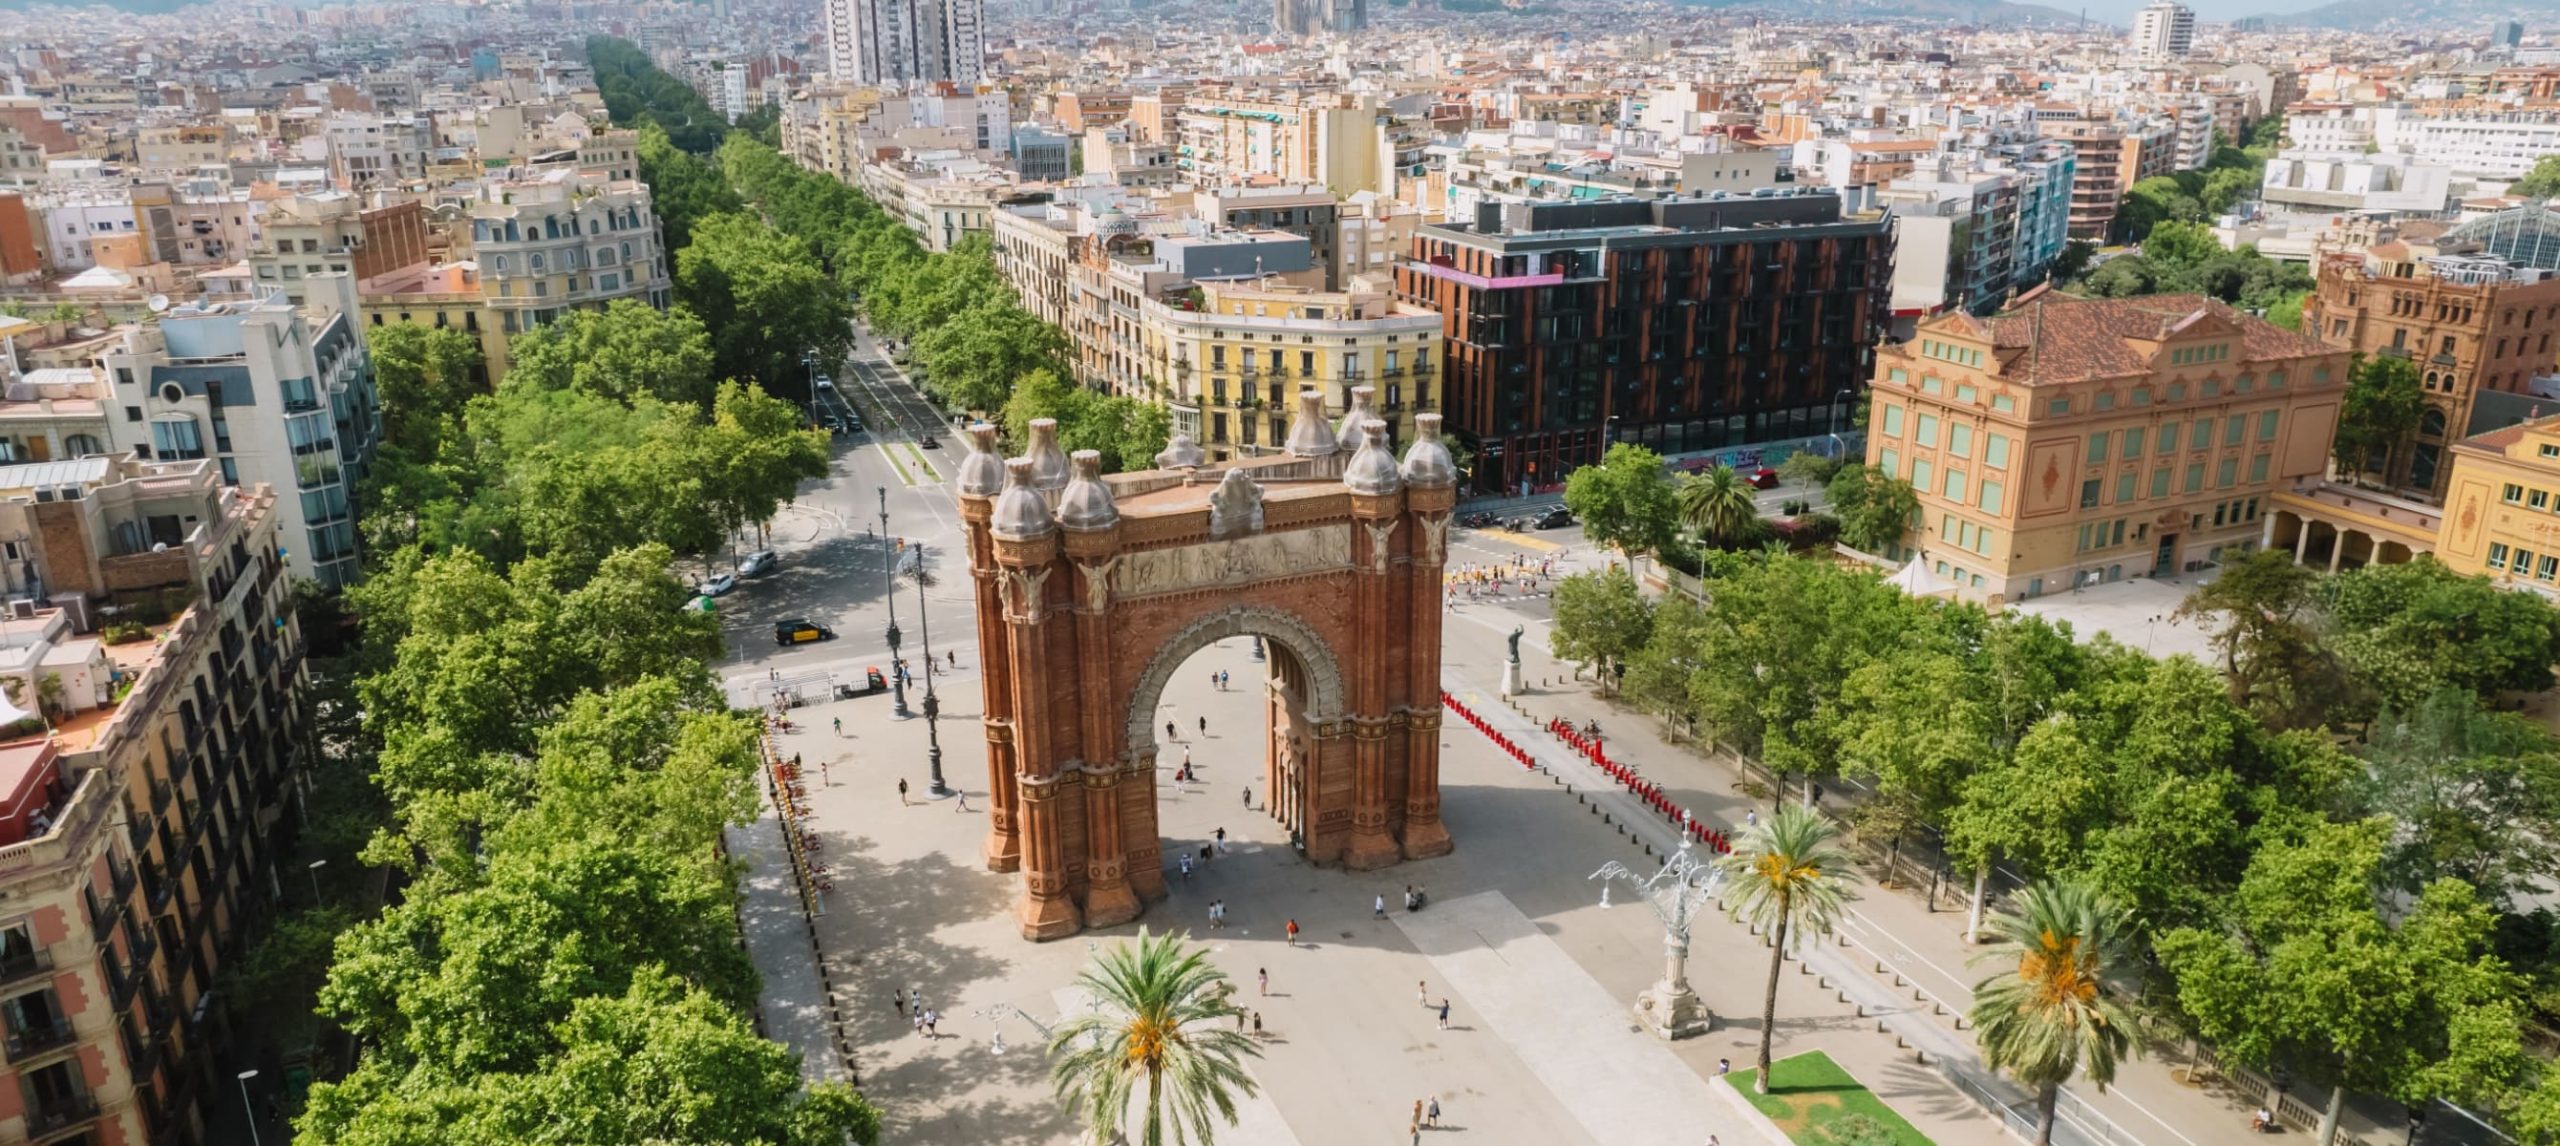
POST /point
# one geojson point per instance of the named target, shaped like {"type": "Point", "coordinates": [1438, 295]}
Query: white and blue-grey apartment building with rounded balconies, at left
{"type": "Point", "coordinates": [273, 395]}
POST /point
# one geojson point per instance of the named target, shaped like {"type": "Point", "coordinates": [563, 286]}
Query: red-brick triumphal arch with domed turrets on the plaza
{"type": "Point", "coordinates": [1094, 590]}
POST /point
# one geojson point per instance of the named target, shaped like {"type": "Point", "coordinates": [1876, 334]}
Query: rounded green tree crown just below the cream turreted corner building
{"type": "Point", "coordinates": [626, 352]}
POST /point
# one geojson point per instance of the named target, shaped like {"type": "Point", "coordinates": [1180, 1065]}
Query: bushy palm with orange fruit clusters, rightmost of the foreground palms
{"type": "Point", "coordinates": [2049, 1019]}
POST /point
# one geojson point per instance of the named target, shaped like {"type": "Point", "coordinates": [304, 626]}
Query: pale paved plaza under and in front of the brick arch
{"type": "Point", "coordinates": [1540, 978]}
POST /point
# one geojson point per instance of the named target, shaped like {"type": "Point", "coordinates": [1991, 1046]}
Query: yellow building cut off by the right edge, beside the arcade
{"type": "Point", "coordinates": [2502, 508]}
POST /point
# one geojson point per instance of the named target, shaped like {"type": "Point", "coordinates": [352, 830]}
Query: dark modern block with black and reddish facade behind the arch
{"type": "Point", "coordinates": [1693, 324]}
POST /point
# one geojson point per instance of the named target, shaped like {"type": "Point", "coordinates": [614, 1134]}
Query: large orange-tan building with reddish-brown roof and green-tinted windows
{"type": "Point", "coordinates": [2080, 441]}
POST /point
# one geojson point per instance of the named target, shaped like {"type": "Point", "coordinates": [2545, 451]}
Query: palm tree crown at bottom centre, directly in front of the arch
{"type": "Point", "coordinates": [1161, 1037]}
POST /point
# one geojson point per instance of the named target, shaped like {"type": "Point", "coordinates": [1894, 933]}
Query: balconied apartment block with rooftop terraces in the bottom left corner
{"type": "Point", "coordinates": [145, 815]}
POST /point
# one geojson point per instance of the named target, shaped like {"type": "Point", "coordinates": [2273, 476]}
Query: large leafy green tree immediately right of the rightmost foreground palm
{"type": "Point", "coordinates": [2308, 976]}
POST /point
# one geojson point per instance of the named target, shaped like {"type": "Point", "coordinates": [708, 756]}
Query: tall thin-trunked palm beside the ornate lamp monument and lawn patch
{"type": "Point", "coordinates": [1786, 874]}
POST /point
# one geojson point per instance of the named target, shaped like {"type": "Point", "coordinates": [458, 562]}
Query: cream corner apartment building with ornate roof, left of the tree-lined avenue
{"type": "Point", "coordinates": [567, 242]}
